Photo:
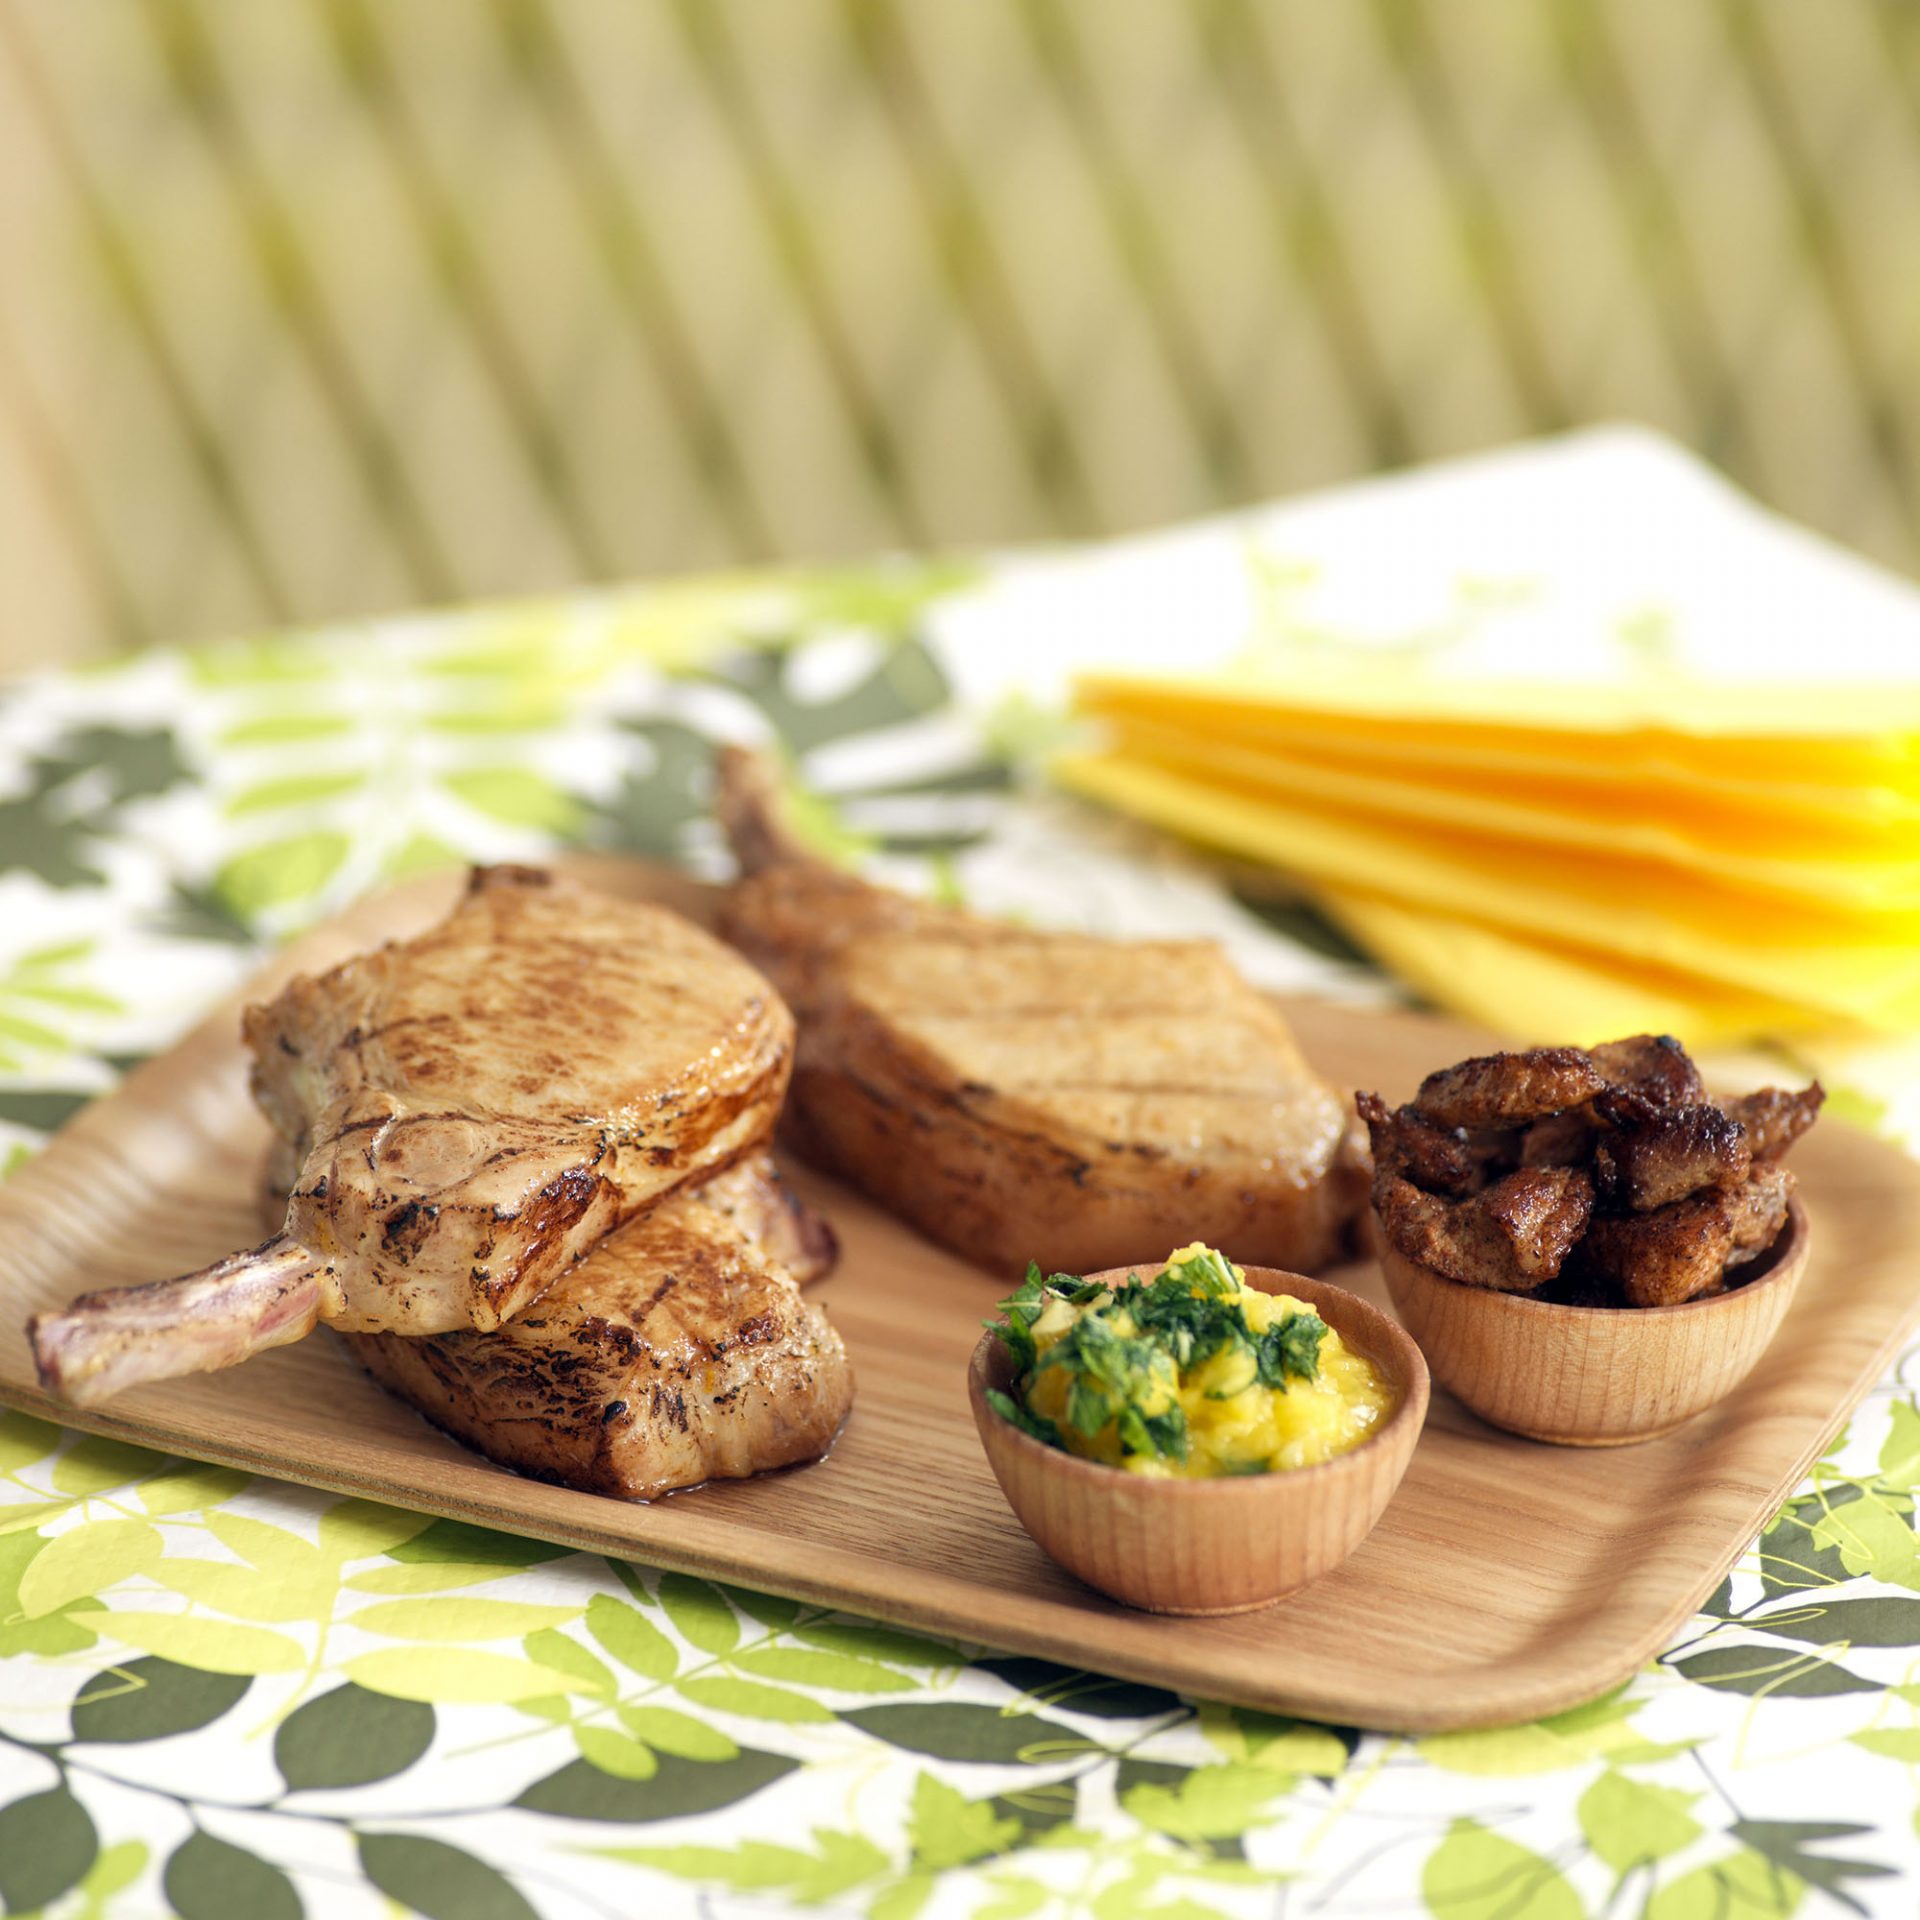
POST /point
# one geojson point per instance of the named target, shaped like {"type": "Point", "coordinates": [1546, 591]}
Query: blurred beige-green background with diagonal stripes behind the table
{"type": "Point", "coordinates": [322, 306]}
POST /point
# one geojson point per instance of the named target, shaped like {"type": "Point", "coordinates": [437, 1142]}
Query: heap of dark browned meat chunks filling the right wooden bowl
{"type": "Point", "coordinates": [1683, 1191]}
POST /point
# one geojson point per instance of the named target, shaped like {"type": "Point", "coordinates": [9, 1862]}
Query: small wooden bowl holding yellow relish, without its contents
{"type": "Point", "coordinates": [1211, 1547]}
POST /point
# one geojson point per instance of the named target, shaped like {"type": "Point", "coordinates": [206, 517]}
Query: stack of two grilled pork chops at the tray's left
{"type": "Point", "coordinates": [527, 1174]}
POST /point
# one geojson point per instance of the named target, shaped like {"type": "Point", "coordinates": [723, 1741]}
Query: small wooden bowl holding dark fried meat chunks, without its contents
{"type": "Point", "coordinates": [1593, 1376]}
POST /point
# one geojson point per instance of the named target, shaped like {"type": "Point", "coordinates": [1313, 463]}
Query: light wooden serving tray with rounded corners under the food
{"type": "Point", "coordinates": [1508, 1579]}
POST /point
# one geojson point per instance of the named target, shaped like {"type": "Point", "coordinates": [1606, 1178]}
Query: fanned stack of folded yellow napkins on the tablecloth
{"type": "Point", "coordinates": [1548, 921]}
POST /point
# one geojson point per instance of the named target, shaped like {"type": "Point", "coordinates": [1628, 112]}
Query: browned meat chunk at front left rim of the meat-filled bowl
{"type": "Point", "coordinates": [1510, 1237]}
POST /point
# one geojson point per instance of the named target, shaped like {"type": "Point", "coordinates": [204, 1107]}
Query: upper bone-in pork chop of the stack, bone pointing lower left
{"type": "Point", "coordinates": [471, 1111]}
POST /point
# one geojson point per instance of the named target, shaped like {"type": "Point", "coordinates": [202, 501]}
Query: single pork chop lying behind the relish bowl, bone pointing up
{"type": "Point", "coordinates": [1030, 1095]}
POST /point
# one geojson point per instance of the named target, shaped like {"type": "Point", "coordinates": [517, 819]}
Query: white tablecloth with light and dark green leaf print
{"type": "Point", "coordinates": [231, 1698]}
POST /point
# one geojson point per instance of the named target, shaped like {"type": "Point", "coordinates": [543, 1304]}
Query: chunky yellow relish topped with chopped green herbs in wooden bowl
{"type": "Point", "coordinates": [1186, 1374]}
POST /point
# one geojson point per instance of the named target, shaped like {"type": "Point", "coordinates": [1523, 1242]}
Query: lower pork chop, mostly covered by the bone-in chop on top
{"type": "Point", "coordinates": [679, 1351]}
